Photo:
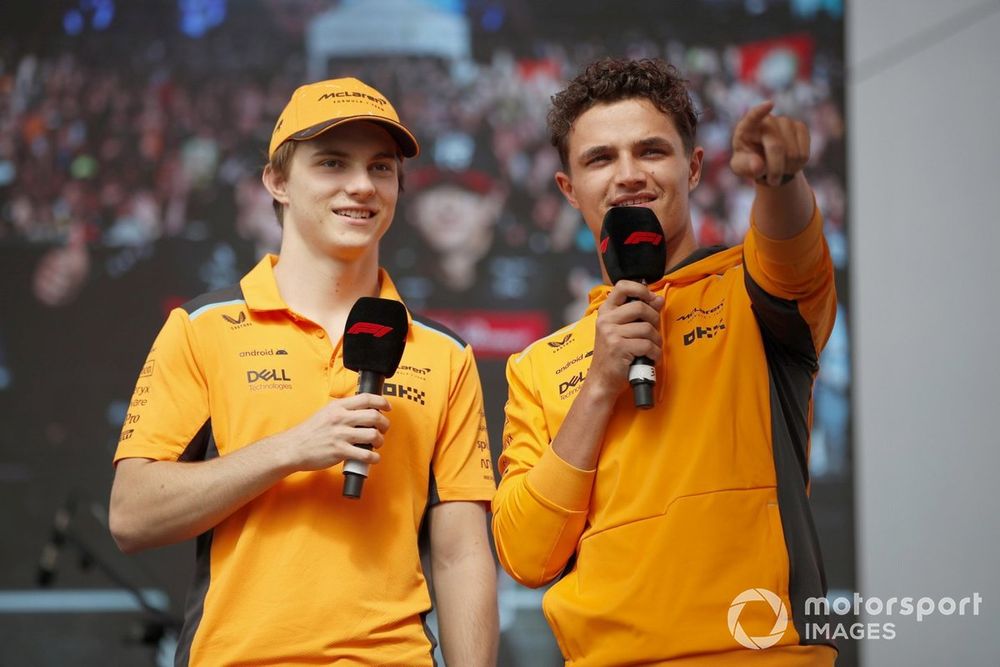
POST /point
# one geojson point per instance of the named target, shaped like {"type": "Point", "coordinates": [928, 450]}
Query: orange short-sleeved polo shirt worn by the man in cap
{"type": "Point", "coordinates": [301, 574]}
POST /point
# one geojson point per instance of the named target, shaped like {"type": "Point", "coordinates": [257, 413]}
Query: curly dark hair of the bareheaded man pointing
{"type": "Point", "coordinates": [615, 79]}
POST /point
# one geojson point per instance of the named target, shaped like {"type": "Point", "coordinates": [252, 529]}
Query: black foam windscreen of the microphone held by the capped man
{"type": "Point", "coordinates": [375, 335]}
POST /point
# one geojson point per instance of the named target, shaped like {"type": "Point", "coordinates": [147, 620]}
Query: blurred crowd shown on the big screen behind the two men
{"type": "Point", "coordinates": [131, 148]}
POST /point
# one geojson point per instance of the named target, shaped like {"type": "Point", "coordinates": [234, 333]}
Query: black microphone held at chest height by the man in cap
{"type": "Point", "coordinates": [374, 338]}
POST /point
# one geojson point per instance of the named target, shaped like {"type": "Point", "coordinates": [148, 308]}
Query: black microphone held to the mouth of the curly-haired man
{"type": "Point", "coordinates": [633, 248]}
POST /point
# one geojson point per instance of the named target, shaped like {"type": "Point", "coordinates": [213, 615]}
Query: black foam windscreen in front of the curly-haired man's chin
{"type": "Point", "coordinates": [632, 245]}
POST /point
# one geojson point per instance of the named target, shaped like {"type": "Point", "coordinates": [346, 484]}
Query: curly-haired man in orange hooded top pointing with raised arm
{"type": "Point", "coordinates": [680, 534]}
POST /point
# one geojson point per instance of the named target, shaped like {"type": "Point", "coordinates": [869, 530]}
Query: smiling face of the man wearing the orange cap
{"type": "Point", "coordinates": [340, 193]}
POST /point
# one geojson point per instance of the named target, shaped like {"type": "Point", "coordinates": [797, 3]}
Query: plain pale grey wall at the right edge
{"type": "Point", "coordinates": [925, 184]}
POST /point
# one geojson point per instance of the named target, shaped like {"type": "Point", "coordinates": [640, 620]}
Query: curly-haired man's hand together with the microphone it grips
{"type": "Point", "coordinates": [633, 250]}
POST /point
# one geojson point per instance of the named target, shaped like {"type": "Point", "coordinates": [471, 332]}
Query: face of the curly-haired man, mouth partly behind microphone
{"type": "Point", "coordinates": [629, 153]}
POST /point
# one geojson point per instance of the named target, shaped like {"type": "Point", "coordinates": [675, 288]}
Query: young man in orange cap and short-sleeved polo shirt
{"type": "Point", "coordinates": [244, 413]}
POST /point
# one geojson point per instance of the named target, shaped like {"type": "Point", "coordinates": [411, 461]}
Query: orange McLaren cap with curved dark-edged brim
{"type": "Point", "coordinates": [317, 107]}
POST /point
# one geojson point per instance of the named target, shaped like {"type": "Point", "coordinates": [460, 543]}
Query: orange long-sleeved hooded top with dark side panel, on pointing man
{"type": "Point", "coordinates": [700, 498]}
